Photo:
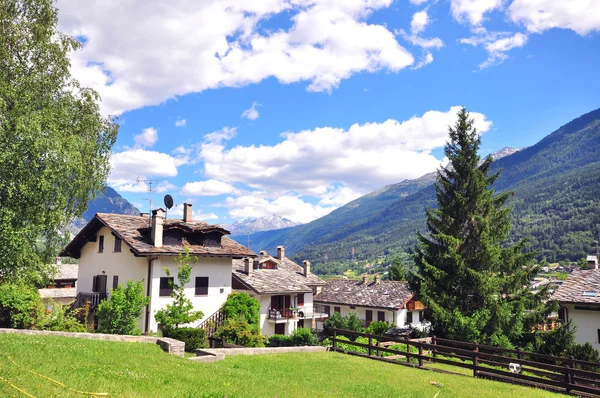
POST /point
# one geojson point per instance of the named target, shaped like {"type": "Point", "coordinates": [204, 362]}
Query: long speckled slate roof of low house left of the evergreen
{"type": "Point", "coordinates": [386, 294]}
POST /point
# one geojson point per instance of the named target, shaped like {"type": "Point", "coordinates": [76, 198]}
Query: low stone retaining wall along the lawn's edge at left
{"type": "Point", "coordinates": [169, 345]}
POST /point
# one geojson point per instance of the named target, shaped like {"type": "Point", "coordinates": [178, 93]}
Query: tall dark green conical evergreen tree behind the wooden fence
{"type": "Point", "coordinates": [474, 287]}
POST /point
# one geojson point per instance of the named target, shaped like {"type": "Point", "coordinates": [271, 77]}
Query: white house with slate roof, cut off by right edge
{"type": "Point", "coordinates": [579, 299]}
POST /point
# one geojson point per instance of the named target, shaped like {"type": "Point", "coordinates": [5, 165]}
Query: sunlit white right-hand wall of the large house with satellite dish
{"type": "Point", "coordinates": [218, 271]}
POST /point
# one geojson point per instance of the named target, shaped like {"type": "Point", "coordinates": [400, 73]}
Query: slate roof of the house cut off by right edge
{"type": "Point", "coordinates": [571, 291]}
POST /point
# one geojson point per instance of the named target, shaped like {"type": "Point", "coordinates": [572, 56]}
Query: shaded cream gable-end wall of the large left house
{"type": "Point", "coordinates": [123, 263]}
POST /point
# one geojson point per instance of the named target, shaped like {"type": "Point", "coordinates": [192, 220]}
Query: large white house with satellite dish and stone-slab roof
{"type": "Point", "coordinates": [113, 248]}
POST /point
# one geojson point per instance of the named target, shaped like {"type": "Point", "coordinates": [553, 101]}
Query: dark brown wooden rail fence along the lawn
{"type": "Point", "coordinates": [542, 371]}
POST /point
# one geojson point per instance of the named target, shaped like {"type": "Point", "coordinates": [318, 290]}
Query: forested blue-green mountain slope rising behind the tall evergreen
{"type": "Point", "coordinates": [557, 196]}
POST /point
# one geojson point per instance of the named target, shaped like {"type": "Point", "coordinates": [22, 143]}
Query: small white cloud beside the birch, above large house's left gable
{"type": "Point", "coordinates": [128, 165]}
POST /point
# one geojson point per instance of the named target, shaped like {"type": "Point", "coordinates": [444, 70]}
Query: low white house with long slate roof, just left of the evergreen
{"type": "Point", "coordinates": [389, 301]}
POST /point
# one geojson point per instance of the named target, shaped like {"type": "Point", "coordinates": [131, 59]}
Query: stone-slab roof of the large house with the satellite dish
{"type": "Point", "coordinates": [135, 233]}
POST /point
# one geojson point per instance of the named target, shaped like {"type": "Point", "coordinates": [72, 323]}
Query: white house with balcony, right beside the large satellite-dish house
{"type": "Point", "coordinates": [284, 289]}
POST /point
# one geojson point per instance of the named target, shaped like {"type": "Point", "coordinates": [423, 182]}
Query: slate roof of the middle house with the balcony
{"type": "Point", "coordinates": [287, 278]}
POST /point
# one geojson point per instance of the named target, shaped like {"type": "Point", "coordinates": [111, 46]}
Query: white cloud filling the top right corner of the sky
{"type": "Point", "coordinates": [581, 16]}
